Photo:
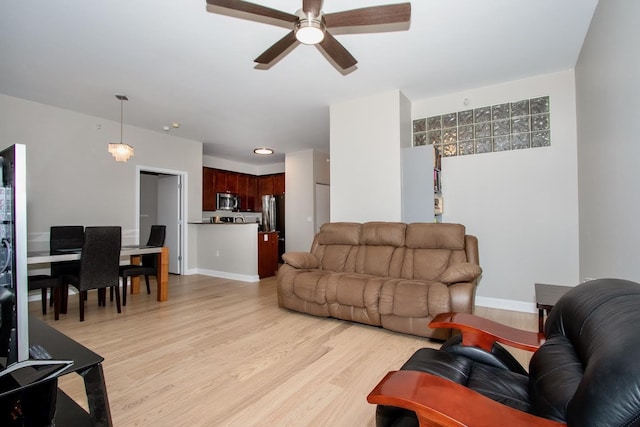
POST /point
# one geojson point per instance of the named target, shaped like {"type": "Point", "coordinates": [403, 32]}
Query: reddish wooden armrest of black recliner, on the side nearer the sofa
{"type": "Point", "coordinates": [480, 332]}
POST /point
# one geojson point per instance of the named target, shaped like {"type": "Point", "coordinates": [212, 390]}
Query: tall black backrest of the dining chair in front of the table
{"type": "Point", "coordinates": [100, 259]}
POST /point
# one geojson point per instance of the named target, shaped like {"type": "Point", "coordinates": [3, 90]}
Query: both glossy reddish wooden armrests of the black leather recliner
{"type": "Point", "coordinates": [440, 402]}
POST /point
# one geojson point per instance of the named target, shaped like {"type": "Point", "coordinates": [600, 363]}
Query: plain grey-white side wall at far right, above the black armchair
{"type": "Point", "coordinates": [607, 89]}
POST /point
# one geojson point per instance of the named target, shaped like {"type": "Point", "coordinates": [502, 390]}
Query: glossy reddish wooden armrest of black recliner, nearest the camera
{"type": "Point", "coordinates": [440, 402]}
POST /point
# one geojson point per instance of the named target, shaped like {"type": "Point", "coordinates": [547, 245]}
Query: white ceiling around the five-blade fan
{"type": "Point", "coordinates": [177, 62]}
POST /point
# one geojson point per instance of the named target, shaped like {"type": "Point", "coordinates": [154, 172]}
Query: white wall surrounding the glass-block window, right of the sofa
{"type": "Point", "coordinates": [522, 205]}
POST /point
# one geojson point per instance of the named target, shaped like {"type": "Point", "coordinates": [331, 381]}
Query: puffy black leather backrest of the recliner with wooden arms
{"type": "Point", "coordinates": [587, 372]}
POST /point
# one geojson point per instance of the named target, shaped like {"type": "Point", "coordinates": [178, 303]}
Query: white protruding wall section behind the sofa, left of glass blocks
{"type": "Point", "coordinates": [366, 137]}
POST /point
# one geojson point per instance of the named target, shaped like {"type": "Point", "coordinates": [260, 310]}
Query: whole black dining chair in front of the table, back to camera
{"type": "Point", "coordinates": [99, 262]}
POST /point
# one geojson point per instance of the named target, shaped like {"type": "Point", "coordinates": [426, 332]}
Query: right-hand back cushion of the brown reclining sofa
{"type": "Point", "coordinates": [431, 248]}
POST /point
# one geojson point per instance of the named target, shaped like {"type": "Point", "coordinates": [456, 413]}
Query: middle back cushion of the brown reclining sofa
{"type": "Point", "coordinates": [382, 249]}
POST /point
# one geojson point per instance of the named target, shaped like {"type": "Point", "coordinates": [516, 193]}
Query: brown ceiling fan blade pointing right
{"type": "Point", "coordinates": [374, 15]}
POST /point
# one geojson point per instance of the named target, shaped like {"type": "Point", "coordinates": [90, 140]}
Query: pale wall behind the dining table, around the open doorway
{"type": "Point", "coordinates": [72, 179]}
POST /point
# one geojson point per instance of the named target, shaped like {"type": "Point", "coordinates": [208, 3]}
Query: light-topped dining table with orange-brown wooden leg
{"type": "Point", "coordinates": [134, 252]}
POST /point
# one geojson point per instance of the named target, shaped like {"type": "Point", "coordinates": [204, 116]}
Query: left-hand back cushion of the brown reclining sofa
{"type": "Point", "coordinates": [336, 246]}
